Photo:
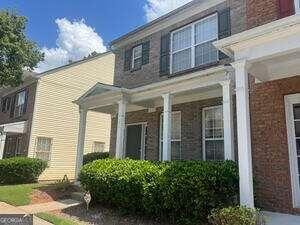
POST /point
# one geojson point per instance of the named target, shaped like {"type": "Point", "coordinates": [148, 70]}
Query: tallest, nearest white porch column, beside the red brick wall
{"type": "Point", "coordinates": [244, 133]}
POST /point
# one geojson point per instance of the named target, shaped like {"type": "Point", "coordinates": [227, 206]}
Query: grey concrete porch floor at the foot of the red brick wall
{"type": "Point", "coordinates": [281, 219]}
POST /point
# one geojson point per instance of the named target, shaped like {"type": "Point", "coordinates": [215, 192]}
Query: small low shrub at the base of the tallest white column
{"type": "Point", "coordinates": [236, 216]}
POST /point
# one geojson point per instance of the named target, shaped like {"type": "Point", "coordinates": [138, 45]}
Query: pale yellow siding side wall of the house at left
{"type": "Point", "coordinates": [57, 117]}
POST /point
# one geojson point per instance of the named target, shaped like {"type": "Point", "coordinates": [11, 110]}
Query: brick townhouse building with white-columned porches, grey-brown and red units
{"type": "Point", "coordinates": [175, 96]}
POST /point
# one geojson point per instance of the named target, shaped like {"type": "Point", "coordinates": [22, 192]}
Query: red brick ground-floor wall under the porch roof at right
{"type": "Point", "coordinates": [269, 143]}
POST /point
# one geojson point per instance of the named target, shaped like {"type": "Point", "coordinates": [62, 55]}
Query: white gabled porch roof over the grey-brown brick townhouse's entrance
{"type": "Point", "coordinates": [104, 98]}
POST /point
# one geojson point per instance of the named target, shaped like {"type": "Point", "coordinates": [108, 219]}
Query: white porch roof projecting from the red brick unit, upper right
{"type": "Point", "coordinates": [272, 50]}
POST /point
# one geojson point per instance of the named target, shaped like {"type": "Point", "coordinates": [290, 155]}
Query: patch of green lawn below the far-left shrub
{"type": "Point", "coordinates": [17, 195]}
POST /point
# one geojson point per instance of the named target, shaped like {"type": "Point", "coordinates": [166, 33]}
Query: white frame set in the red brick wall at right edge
{"type": "Point", "coordinates": [291, 100]}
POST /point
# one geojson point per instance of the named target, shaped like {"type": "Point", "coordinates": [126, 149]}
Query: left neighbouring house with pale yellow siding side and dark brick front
{"type": "Point", "coordinates": [39, 119]}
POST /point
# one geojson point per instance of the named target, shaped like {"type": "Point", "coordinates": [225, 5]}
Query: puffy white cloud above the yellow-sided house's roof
{"type": "Point", "coordinates": [75, 41]}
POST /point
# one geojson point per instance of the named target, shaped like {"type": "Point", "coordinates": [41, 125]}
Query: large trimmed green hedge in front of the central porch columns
{"type": "Point", "coordinates": [182, 191]}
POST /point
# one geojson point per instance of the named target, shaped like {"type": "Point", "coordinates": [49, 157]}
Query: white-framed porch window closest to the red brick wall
{"type": "Point", "coordinates": [213, 133]}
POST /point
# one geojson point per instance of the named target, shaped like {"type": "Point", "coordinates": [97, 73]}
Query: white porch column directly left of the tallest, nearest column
{"type": "Point", "coordinates": [228, 120]}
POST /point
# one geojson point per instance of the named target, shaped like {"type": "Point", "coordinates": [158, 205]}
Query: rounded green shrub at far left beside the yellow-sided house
{"type": "Point", "coordinates": [21, 170]}
